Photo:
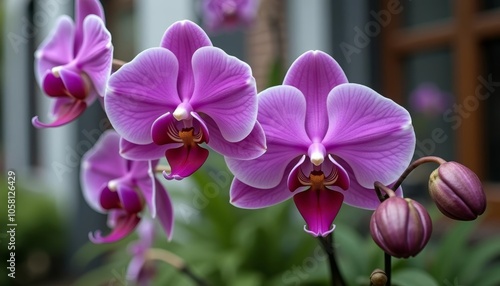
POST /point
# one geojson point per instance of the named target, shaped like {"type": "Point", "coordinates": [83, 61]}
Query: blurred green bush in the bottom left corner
{"type": "Point", "coordinates": [39, 236]}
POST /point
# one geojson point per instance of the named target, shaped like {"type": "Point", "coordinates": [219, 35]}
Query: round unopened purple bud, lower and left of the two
{"type": "Point", "coordinates": [401, 227]}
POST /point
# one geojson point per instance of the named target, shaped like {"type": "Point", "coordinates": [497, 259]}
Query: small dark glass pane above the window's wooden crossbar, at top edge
{"type": "Point", "coordinates": [425, 11]}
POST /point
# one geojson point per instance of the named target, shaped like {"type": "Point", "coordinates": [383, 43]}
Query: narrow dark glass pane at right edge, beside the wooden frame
{"type": "Point", "coordinates": [490, 82]}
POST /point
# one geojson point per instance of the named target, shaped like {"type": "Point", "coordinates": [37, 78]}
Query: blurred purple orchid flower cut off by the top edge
{"type": "Point", "coordinates": [228, 14]}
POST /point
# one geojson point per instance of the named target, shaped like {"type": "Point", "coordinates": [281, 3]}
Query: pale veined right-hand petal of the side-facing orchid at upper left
{"type": "Point", "coordinates": [96, 53]}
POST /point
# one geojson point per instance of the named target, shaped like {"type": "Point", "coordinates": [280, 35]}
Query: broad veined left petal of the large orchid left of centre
{"type": "Point", "coordinates": [140, 92]}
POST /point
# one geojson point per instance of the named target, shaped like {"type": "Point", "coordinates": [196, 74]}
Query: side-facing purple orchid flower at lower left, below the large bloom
{"type": "Point", "coordinates": [121, 188]}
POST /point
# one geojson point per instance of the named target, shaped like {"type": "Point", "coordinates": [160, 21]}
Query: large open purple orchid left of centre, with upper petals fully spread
{"type": "Point", "coordinates": [187, 92]}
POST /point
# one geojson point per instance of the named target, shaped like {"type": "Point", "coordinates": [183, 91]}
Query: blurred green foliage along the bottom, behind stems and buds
{"type": "Point", "coordinates": [231, 246]}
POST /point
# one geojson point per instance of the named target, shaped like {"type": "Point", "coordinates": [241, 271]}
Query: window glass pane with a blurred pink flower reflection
{"type": "Point", "coordinates": [429, 97]}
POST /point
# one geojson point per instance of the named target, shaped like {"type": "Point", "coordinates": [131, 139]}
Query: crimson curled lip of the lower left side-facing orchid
{"type": "Point", "coordinates": [124, 225]}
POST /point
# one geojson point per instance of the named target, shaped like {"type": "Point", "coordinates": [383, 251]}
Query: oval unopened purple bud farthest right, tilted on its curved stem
{"type": "Point", "coordinates": [457, 191]}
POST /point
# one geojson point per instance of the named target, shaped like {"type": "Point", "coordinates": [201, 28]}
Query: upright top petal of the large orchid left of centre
{"type": "Point", "coordinates": [183, 38]}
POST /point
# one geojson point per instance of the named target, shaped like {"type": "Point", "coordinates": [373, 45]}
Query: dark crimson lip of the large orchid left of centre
{"type": "Point", "coordinates": [184, 161]}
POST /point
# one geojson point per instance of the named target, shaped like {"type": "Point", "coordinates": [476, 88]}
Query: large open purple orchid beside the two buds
{"type": "Point", "coordinates": [324, 135]}
